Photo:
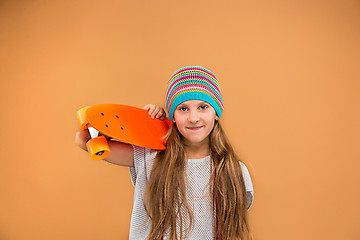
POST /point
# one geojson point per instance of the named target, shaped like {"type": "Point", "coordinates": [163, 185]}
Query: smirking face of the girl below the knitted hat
{"type": "Point", "coordinates": [195, 120]}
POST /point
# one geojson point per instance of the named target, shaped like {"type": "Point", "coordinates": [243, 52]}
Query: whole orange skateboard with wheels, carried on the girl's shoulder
{"type": "Point", "coordinates": [123, 123]}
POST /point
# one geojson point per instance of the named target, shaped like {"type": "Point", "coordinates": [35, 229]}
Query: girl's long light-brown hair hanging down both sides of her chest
{"type": "Point", "coordinates": [165, 200]}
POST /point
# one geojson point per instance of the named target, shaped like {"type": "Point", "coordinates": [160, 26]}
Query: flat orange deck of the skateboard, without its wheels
{"type": "Point", "coordinates": [129, 124]}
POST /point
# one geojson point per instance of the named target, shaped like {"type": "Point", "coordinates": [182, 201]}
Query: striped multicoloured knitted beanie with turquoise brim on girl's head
{"type": "Point", "coordinates": [193, 82]}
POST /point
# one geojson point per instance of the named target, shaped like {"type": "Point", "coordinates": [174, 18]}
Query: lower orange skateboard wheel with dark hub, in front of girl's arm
{"type": "Point", "coordinates": [98, 148]}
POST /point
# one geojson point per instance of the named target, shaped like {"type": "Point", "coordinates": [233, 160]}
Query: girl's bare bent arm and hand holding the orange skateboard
{"type": "Point", "coordinates": [121, 153]}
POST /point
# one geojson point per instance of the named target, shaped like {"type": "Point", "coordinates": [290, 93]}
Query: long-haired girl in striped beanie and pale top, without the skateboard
{"type": "Point", "coordinates": [197, 188]}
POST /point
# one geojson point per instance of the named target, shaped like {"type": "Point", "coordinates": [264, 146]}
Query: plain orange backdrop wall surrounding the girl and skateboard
{"type": "Point", "coordinates": [289, 72]}
